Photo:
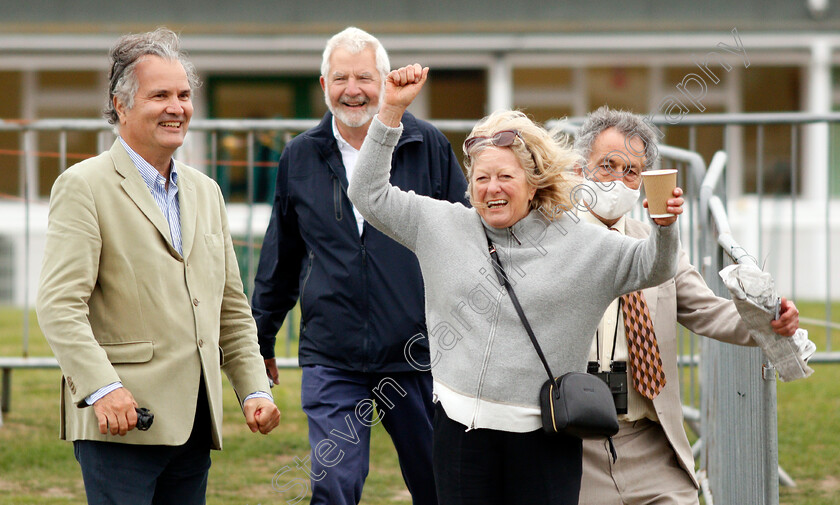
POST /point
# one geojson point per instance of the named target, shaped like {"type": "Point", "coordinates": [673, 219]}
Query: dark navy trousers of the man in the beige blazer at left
{"type": "Point", "coordinates": [124, 474]}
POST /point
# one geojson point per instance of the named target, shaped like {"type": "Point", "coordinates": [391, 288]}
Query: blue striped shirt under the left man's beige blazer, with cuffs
{"type": "Point", "coordinates": [167, 201]}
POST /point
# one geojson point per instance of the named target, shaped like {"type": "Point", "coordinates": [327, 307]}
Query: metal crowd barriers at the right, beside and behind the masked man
{"type": "Point", "coordinates": [737, 413]}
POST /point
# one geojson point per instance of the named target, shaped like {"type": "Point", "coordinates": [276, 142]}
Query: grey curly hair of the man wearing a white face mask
{"type": "Point", "coordinates": [628, 124]}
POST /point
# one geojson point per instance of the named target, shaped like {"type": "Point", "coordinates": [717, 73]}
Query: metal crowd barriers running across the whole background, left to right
{"type": "Point", "coordinates": [710, 241]}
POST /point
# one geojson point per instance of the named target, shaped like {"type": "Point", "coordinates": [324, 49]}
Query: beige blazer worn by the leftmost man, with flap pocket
{"type": "Point", "coordinates": [117, 302]}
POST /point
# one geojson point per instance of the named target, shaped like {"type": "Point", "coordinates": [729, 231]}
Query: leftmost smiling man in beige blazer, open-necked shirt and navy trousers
{"type": "Point", "coordinates": [140, 296]}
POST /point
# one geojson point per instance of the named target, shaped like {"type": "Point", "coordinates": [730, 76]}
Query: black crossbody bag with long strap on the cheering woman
{"type": "Point", "coordinates": [577, 403]}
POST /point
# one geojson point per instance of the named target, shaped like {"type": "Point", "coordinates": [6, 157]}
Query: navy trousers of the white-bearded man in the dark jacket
{"type": "Point", "coordinates": [340, 408]}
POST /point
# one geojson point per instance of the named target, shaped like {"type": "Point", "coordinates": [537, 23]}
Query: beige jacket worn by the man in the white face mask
{"type": "Point", "coordinates": [688, 300]}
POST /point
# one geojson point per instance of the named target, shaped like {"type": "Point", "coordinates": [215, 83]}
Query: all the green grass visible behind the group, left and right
{"type": "Point", "coordinates": [37, 468]}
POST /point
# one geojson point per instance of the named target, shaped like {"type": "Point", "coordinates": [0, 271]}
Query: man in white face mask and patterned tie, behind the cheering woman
{"type": "Point", "coordinates": [654, 464]}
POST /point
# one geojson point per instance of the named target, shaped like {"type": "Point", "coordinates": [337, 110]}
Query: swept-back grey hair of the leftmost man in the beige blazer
{"type": "Point", "coordinates": [128, 51]}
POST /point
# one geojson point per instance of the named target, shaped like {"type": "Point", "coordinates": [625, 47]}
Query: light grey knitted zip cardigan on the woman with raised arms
{"type": "Point", "coordinates": [565, 274]}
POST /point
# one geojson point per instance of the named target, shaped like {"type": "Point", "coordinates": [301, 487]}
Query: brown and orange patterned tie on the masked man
{"type": "Point", "coordinates": [645, 363]}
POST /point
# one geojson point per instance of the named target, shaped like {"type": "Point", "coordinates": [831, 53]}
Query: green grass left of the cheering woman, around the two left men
{"type": "Point", "coordinates": [38, 468]}
